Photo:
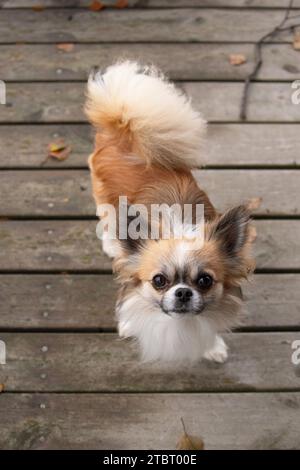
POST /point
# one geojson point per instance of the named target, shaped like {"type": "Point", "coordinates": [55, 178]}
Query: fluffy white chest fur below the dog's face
{"type": "Point", "coordinates": [160, 336]}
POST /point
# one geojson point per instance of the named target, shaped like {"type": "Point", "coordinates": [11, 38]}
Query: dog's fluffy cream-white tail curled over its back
{"type": "Point", "coordinates": [156, 118]}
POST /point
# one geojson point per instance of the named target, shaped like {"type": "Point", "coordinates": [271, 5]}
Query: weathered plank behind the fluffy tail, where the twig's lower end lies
{"type": "Point", "coordinates": [218, 101]}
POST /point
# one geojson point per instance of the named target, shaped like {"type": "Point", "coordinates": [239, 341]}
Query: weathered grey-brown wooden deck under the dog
{"type": "Point", "coordinates": [69, 382]}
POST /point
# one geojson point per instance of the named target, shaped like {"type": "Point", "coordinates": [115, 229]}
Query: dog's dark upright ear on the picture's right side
{"type": "Point", "coordinates": [232, 230]}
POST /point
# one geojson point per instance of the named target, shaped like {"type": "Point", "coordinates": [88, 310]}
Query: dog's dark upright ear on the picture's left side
{"type": "Point", "coordinates": [133, 229]}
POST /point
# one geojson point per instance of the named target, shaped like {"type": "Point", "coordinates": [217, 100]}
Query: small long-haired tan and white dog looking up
{"type": "Point", "coordinates": [176, 295]}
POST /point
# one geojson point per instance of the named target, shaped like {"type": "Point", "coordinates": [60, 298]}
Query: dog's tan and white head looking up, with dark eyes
{"type": "Point", "coordinates": [184, 281]}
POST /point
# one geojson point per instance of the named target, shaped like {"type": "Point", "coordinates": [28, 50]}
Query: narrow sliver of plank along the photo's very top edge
{"type": "Point", "coordinates": [151, 3]}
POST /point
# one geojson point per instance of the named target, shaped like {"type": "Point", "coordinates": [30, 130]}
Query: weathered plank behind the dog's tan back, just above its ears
{"type": "Point", "coordinates": [68, 193]}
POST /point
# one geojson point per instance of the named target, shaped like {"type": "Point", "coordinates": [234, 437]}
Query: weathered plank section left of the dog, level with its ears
{"type": "Point", "coordinates": [51, 245]}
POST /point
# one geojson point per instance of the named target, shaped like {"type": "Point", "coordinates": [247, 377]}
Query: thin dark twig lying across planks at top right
{"type": "Point", "coordinates": [258, 60]}
